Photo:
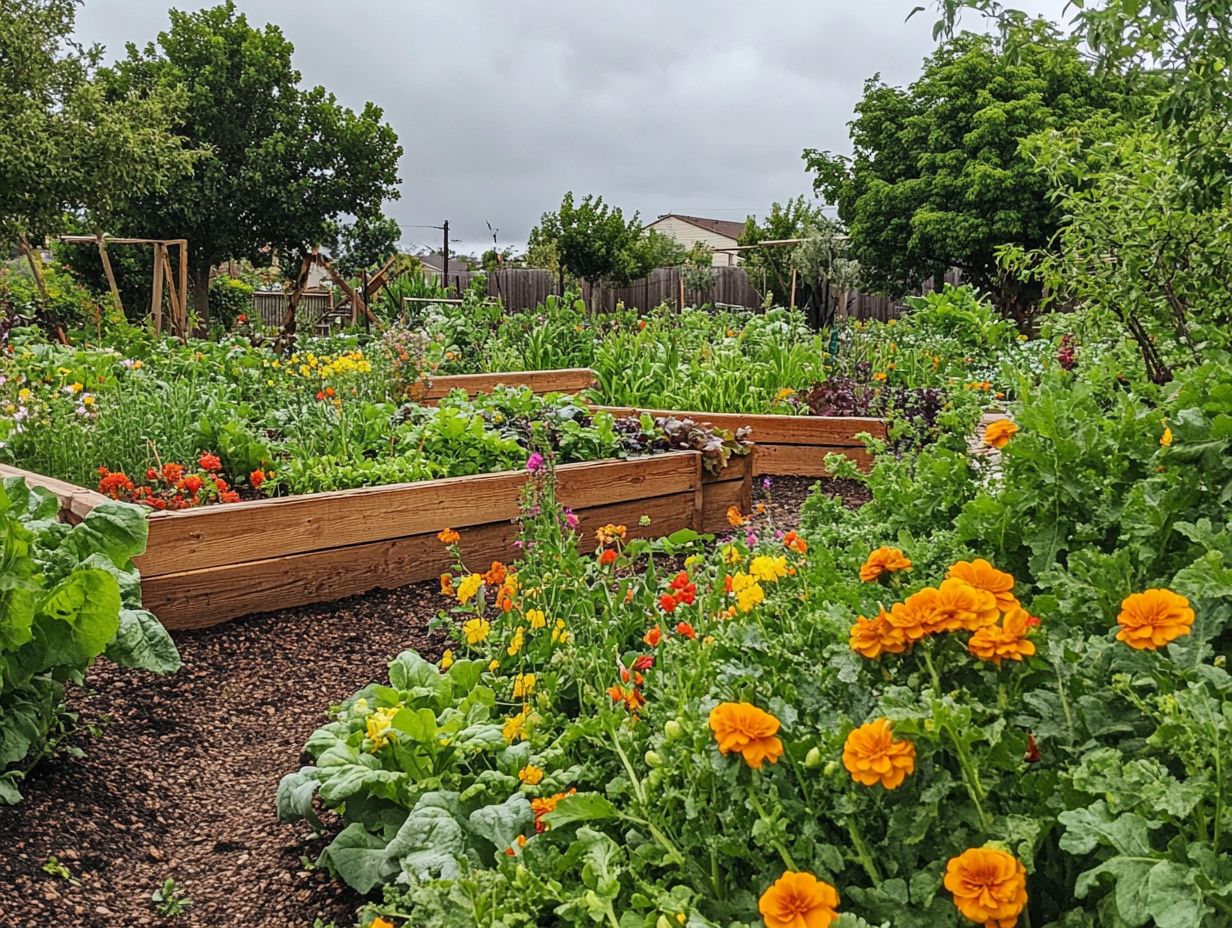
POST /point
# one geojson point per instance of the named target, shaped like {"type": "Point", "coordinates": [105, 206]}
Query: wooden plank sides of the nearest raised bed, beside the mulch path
{"type": "Point", "coordinates": [206, 566]}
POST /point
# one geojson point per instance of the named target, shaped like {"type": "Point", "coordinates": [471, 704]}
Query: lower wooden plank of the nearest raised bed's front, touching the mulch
{"type": "Point", "coordinates": [201, 598]}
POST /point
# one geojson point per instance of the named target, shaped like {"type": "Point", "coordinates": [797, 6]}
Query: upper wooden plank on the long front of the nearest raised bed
{"type": "Point", "coordinates": [269, 528]}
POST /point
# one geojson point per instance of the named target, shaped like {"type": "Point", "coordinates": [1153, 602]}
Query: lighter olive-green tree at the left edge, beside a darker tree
{"type": "Point", "coordinates": [65, 147]}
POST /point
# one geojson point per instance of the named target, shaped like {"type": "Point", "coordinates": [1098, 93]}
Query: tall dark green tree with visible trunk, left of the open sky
{"type": "Point", "coordinates": [284, 162]}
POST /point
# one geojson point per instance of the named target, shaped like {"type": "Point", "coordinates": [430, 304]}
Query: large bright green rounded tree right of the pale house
{"type": "Point", "coordinates": [938, 181]}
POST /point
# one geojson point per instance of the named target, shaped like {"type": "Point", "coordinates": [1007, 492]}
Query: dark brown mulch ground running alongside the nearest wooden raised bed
{"type": "Point", "coordinates": [182, 777]}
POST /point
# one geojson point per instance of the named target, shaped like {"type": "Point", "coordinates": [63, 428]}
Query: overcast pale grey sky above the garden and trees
{"type": "Point", "coordinates": [686, 107]}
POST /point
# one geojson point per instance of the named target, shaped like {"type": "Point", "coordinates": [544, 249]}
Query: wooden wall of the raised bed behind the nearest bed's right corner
{"type": "Point", "coordinates": [787, 446]}
